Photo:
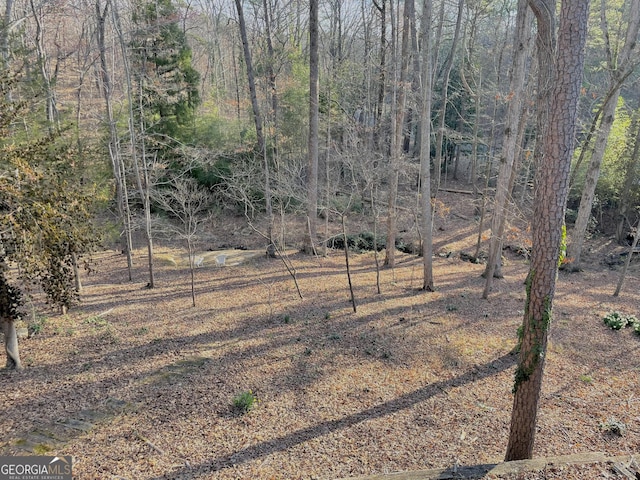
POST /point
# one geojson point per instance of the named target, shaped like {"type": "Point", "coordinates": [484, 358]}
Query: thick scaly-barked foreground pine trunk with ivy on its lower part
{"type": "Point", "coordinates": [563, 74]}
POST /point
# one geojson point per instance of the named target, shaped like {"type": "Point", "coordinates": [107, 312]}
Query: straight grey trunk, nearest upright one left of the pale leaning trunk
{"type": "Point", "coordinates": [425, 150]}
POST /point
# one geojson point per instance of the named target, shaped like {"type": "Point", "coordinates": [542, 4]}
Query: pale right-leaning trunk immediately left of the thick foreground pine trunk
{"type": "Point", "coordinates": [522, 50]}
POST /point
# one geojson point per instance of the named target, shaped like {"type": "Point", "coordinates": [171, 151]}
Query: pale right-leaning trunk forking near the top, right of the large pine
{"type": "Point", "coordinates": [619, 67]}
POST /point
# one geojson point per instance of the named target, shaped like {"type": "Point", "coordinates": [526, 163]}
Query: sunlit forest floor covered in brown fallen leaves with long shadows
{"type": "Point", "coordinates": [135, 383]}
